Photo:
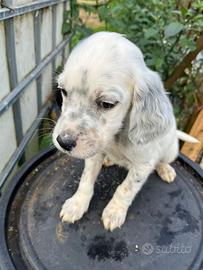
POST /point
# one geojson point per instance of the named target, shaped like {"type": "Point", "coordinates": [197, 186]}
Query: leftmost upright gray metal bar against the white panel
{"type": "Point", "coordinates": [11, 55]}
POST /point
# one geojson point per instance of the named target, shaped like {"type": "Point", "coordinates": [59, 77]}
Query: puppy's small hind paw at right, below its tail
{"type": "Point", "coordinates": [166, 172]}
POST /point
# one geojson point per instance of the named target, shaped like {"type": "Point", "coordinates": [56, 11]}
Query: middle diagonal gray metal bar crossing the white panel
{"type": "Point", "coordinates": [14, 95]}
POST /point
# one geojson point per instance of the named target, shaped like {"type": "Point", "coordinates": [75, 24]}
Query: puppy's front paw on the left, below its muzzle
{"type": "Point", "coordinates": [74, 208]}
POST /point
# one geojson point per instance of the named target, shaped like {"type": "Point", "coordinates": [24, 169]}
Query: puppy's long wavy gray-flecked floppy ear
{"type": "Point", "coordinates": [151, 114]}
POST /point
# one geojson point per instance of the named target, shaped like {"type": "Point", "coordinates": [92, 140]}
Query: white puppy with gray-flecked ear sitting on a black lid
{"type": "Point", "coordinates": [114, 107]}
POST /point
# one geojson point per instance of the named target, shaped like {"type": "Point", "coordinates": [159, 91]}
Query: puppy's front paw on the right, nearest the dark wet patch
{"type": "Point", "coordinates": [114, 215]}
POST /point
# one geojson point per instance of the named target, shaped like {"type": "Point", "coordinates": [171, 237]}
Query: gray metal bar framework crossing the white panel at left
{"type": "Point", "coordinates": [17, 88]}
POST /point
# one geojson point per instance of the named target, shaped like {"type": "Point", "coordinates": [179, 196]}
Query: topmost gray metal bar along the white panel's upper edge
{"type": "Point", "coordinates": [6, 13]}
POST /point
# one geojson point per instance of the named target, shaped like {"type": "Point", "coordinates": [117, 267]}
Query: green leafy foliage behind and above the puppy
{"type": "Point", "coordinates": [164, 30]}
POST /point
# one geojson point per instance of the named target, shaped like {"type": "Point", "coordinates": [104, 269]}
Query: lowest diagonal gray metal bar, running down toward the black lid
{"type": "Point", "coordinates": [19, 151]}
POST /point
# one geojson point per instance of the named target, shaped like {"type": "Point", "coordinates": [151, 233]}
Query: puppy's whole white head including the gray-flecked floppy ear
{"type": "Point", "coordinates": [105, 83]}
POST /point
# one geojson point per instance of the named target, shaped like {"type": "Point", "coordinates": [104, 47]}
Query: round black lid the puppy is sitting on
{"type": "Point", "coordinates": [163, 229]}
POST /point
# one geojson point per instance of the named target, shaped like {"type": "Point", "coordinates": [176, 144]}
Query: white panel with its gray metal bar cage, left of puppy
{"type": "Point", "coordinates": [31, 48]}
